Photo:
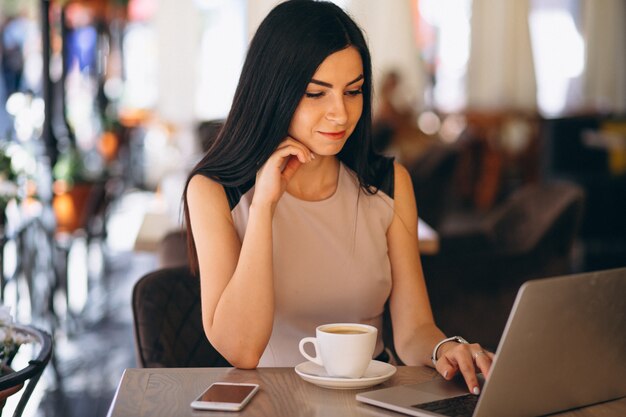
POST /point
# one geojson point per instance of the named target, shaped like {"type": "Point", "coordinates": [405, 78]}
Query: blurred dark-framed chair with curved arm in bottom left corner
{"type": "Point", "coordinates": [30, 373]}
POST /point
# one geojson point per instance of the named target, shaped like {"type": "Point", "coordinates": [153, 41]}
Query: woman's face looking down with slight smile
{"type": "Point", "coordinates": [332, 104]}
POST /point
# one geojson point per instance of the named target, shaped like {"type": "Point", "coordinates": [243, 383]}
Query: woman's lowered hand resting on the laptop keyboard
{"type": "Point", "coordinates": [468, 359]}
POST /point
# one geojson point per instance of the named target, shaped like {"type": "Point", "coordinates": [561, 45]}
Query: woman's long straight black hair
{"type": "Point", "coordinates": [288, 47]}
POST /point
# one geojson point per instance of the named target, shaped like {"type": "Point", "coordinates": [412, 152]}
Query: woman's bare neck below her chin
{"type": "Point", "coordinates": [316, 180]}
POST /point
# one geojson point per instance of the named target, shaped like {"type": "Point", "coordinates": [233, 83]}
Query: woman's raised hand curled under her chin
{"type": "Point", "coordinates": [278, 170]}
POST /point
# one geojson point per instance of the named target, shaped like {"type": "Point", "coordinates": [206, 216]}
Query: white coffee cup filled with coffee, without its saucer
{"type": "Point", "coordinates": [343, 349]}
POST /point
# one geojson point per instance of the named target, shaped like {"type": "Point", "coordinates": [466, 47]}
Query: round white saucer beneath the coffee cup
{"type": "Point", "coordinates": [376, 373]}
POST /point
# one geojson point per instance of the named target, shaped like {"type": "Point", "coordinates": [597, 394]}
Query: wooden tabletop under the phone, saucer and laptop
{"type": "Point", "coordinates": [168, 392]}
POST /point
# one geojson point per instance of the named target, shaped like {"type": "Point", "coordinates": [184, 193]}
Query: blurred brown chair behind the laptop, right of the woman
{"type": "Point", "coordinates": [473, 280]}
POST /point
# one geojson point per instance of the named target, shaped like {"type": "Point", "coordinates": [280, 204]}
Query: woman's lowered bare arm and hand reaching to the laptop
{"type": "Point", "coordinates": [415, 332]}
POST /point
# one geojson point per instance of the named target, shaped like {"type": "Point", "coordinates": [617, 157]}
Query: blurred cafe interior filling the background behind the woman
{"type": "Point", "coordinates": [509, 114]}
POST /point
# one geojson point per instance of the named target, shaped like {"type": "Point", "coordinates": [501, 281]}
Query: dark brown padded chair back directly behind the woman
{"type": "Point", "coordinates": [168, 321]}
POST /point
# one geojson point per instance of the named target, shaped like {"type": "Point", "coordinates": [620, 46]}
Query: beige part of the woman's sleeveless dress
{"type": "Point", "coordinates": [330, 263]}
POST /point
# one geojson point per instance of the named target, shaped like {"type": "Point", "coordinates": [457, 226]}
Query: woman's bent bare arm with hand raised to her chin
{"type": "Point", "coordinates": [237, 289]}
